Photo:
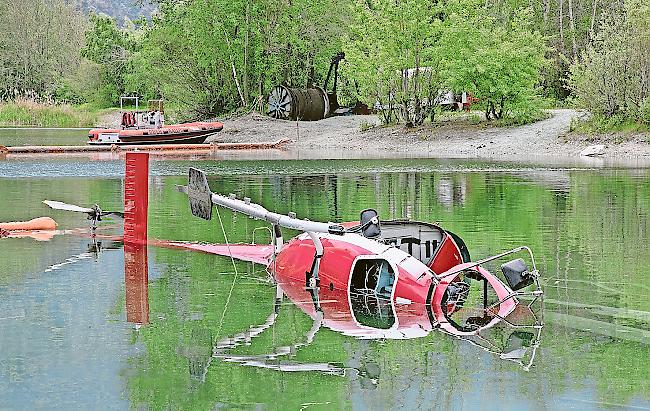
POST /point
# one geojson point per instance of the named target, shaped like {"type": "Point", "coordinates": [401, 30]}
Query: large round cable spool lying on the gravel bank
{"type": "Point", "coordinates": [309, 104]}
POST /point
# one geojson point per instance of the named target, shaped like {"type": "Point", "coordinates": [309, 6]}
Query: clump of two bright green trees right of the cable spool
{"type": "Point", "coordinates": [405, 53]}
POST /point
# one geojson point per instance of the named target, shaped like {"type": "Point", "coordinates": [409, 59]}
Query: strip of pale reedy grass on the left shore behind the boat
{"type": "Point", "coordinates": [29, 113]}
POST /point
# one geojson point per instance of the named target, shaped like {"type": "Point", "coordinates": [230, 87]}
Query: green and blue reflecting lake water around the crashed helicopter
{"type": "Point", "coordinates": [76, 332]}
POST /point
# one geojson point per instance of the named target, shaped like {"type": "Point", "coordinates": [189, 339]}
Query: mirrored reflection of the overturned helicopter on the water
{"type": "Point", "coordinates": [370, 316]}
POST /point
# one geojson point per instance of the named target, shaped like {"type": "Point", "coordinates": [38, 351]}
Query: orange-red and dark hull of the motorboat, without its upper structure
{"type": "Point", "coordinates": [188, 133]}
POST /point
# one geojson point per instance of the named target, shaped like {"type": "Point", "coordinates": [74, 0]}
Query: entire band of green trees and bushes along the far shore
{"type": "Point", "coordinates": [209, 58]}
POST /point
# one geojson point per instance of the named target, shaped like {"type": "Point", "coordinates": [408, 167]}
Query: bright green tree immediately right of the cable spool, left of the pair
{"type": "Point", "coordinates": [392, 56]}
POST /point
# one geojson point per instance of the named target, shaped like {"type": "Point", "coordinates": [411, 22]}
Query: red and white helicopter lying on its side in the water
{"type": "Point", "coordinates": [388, 279]}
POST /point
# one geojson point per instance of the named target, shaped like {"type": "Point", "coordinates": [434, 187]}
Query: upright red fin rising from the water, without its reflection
{"type": "Point", "coordinates": [136, 198]}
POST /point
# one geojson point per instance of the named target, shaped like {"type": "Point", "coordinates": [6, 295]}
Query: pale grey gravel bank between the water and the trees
{"type": "Point", "coordinates": [342, 137]}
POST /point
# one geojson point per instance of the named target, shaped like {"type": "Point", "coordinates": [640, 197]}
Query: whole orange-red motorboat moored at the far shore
{"type": "Point", "coordinates": [140, 127]}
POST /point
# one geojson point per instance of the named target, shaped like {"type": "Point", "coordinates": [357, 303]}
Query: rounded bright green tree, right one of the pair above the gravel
{"type": "Point", "coordinates": [498, 63]}
